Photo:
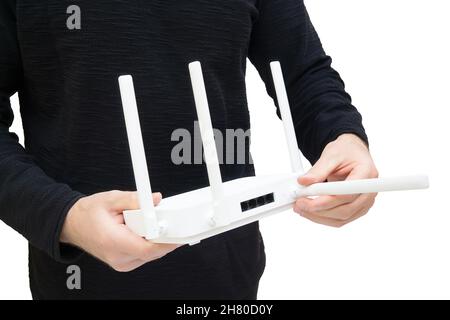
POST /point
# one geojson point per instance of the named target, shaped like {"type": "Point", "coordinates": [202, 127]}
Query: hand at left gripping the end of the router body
{"type": "Point", "coordinates": [96, 225]}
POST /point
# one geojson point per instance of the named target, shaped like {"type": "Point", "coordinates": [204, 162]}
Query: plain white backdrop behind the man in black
{"type": "Point", "coordinates": [394, 58]}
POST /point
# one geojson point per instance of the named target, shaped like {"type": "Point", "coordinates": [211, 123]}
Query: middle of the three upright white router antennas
{"type": "Point", "coordinates": [206, 130]}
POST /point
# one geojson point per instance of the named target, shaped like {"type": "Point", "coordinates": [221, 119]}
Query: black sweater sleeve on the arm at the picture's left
{"type": "Point", "coordinates": [30, 202]}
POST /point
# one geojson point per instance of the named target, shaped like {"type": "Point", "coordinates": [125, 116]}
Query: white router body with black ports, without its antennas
{"type": "Point", "coordinates": [190, 217]}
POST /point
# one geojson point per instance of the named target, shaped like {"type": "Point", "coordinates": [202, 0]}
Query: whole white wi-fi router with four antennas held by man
{"type": "Point", "coordinates": [190, 217]}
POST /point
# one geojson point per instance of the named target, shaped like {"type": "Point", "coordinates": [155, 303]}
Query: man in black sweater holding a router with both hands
{"type": "Point", "coordinates": [64, 59]}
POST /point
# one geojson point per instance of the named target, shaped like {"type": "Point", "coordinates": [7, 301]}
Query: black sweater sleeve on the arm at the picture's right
{"type": "Point", "coordinates": [321, 108]}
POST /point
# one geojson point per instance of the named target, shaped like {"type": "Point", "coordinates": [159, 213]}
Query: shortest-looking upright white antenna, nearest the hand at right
{"type": "Point", "coordinates": [286, 117]}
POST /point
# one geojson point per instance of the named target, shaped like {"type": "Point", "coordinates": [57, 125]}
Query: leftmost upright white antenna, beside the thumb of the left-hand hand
{"type": "Point", "coordinates": [138, 158]}
